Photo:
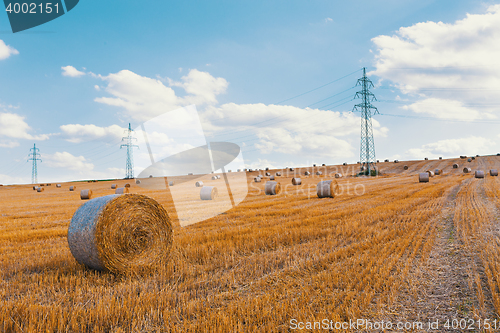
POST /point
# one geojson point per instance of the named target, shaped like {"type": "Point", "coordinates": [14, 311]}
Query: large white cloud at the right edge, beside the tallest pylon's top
{"type": "Point", "coordinates": [455, 63]}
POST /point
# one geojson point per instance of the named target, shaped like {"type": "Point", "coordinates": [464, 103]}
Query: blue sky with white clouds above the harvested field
{"type": "Point", "coordinates": [236, 60]}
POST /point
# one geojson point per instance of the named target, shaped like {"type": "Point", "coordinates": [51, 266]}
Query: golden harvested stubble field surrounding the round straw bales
{"type": "Point", "coordinates": [387, 248]}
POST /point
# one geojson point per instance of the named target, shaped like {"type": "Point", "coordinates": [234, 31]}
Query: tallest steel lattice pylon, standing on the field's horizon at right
{"type": "Point", "coordinates": [367, 152]}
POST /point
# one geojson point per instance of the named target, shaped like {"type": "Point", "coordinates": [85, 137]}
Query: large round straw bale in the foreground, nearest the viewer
{"type": "Point", "coordinates": [121, 234]}
